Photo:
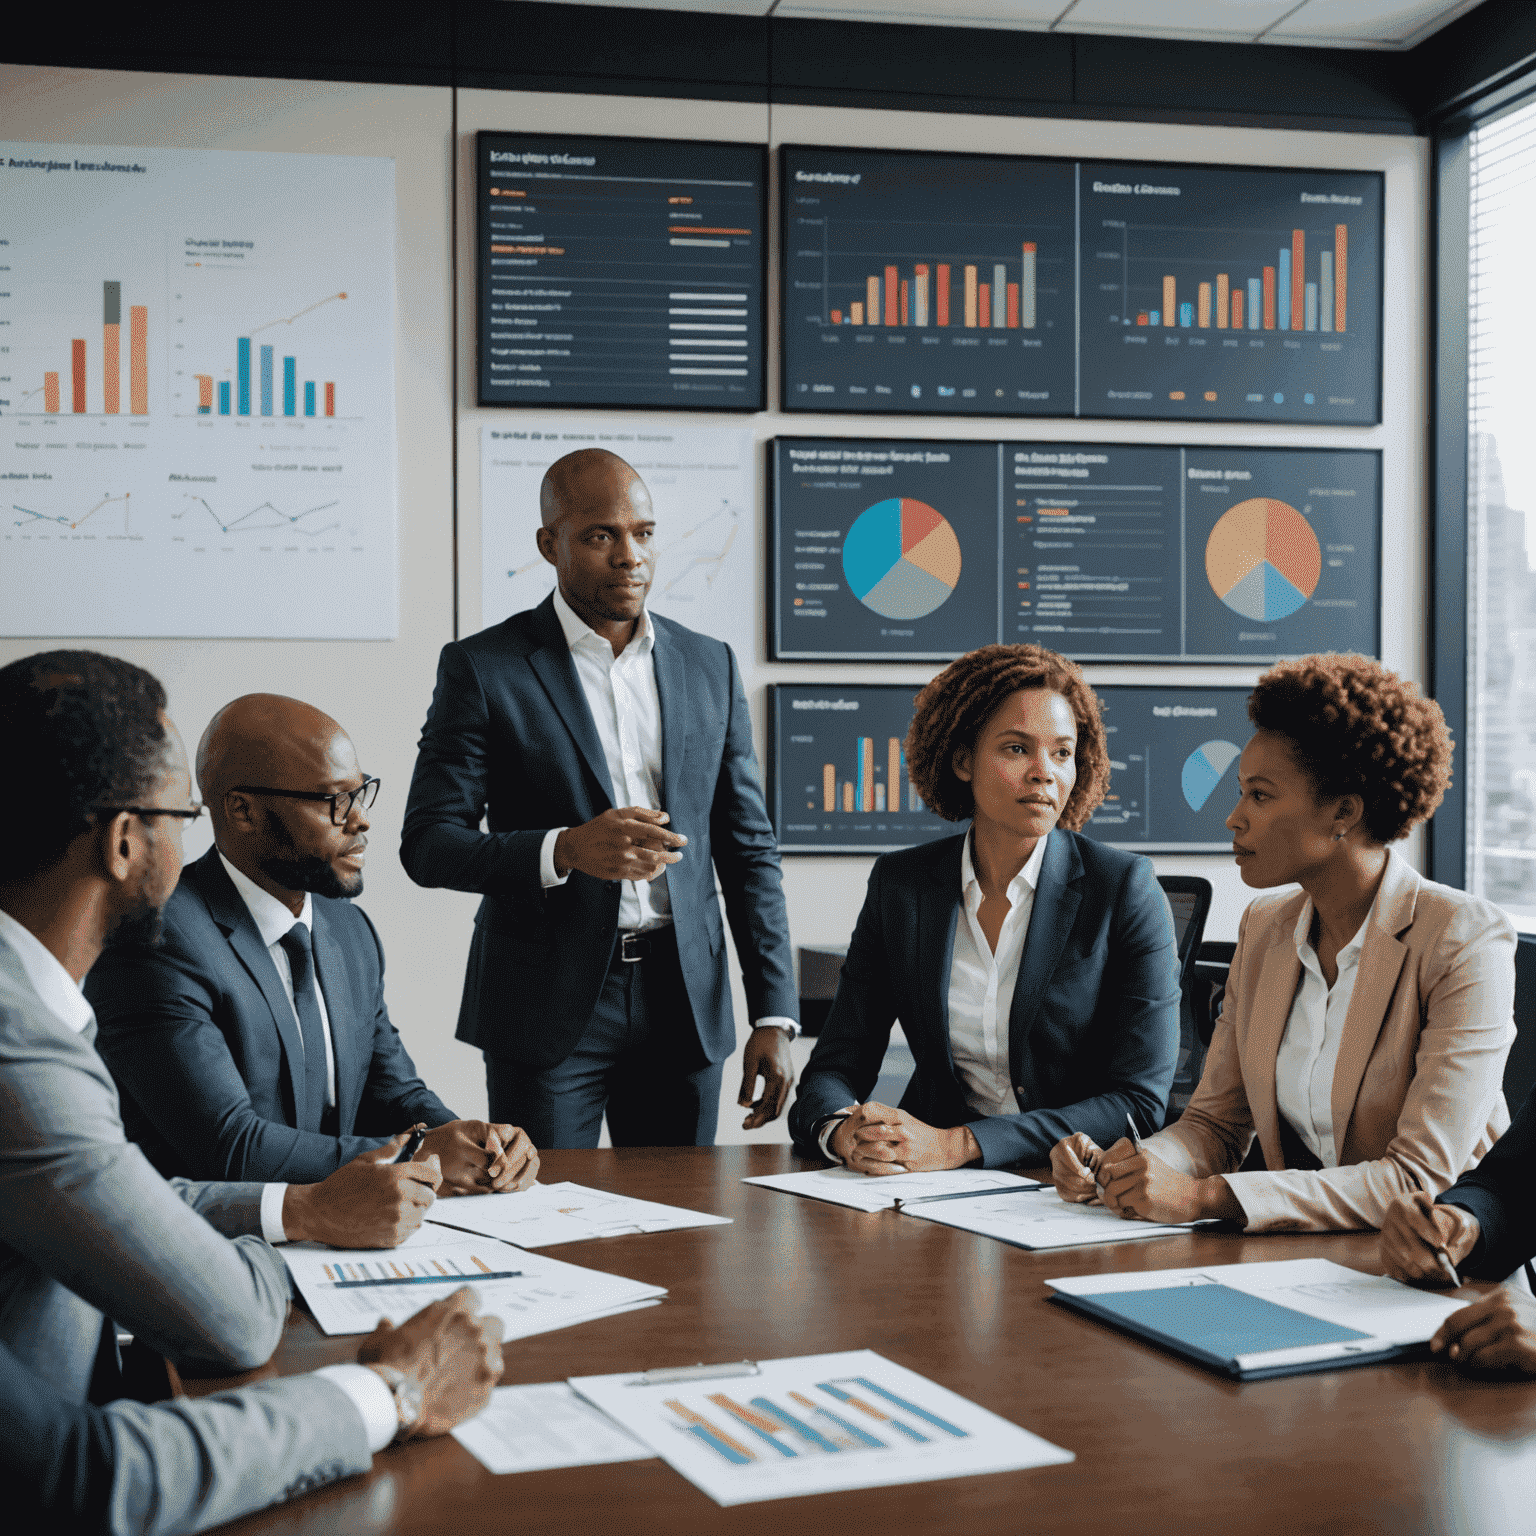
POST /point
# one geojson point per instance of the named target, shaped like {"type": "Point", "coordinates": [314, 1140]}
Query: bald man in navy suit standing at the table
{"type": "Point", "coordinates": [614, 755]}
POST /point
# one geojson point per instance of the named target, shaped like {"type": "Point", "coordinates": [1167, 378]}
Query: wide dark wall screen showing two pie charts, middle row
{"type": "Point", "coordinates": [910, 551]}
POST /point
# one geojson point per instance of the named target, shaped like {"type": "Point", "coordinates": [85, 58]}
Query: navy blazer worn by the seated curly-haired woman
{"type": "Point", "coordinates": [1093, 1027]}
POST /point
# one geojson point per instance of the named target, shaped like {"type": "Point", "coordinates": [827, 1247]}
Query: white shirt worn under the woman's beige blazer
{"type": "Point", "coordinates": [1309, 1051]}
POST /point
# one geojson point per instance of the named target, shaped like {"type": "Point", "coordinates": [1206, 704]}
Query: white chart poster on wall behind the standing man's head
{"type": "Point", "coordinates": [701, 485]}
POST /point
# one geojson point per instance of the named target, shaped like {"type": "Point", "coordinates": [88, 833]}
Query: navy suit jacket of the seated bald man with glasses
{"type": "Point", "coordinates": [208, 1056]}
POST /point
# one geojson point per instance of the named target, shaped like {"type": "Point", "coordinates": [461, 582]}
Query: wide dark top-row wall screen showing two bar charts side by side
{"type": "Point", "coordinates": [952, 285]}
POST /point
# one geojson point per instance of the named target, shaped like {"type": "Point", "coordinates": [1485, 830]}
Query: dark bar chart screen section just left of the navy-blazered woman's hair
{"type": "Point", "coordinates": [838, 776]}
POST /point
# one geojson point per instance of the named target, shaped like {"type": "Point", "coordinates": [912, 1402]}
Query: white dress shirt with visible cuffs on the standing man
{"type": "Point", "coordinates": [627, 710]}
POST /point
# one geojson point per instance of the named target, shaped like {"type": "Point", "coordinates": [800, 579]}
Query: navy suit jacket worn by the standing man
{"type": "Point", "coordinates": [511, 738]}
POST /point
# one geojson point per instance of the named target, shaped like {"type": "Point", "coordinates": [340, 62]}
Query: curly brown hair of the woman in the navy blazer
{"type": "Point", "coordinates": [955, 709]}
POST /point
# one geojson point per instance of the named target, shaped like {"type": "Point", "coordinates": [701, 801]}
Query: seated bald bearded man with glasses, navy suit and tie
{"type": "Point", "coordinates": [253, 1041]}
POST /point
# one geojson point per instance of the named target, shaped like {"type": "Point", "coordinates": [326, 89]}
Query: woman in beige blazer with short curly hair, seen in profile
{"type": "Point", "coordinates": [1368, 1016]}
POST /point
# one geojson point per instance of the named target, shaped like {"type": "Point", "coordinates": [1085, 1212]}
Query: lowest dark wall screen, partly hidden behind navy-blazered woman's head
{"type": "Point", "coordinates": [838, 778]}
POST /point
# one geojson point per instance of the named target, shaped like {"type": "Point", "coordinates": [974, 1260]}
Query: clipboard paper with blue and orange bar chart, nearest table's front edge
{"type": "Point", "coordinates": [816, 1425]}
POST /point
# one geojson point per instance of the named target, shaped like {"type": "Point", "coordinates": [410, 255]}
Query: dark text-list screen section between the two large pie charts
{"type": "Point", "coordinates": [1093, 551]}
